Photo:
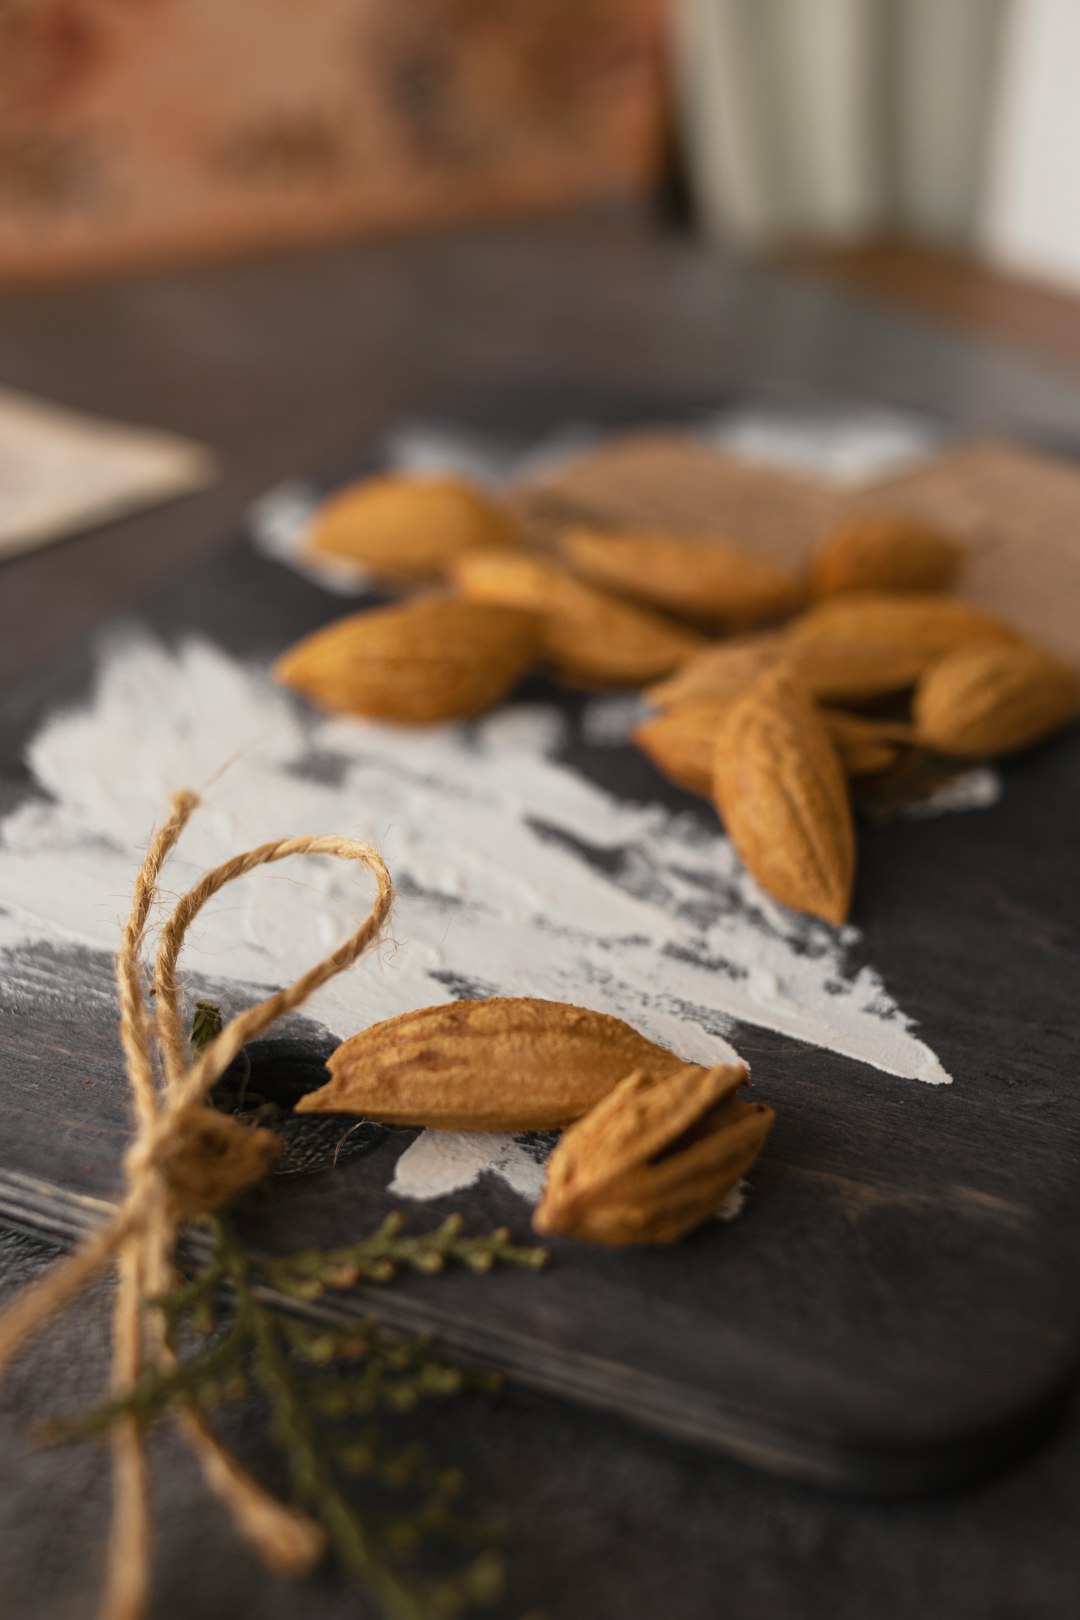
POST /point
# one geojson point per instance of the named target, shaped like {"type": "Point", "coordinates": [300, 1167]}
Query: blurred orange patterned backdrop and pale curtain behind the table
{"type": "Point", "coordinates": [172, 130]}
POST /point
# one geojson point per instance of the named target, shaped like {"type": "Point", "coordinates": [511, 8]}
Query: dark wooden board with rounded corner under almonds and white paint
{"type": "Point", "coordinates": [895, 1311]}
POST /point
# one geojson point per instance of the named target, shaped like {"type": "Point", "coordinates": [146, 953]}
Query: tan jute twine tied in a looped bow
{"type": "Point", "coordinates": [184, 1161]}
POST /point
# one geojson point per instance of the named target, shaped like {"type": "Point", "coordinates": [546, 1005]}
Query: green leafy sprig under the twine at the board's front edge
{"type": "Point", "coordinates": [330, 1391]}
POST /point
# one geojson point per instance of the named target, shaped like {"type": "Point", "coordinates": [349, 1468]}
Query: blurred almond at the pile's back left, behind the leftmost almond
{"type": "Point", "coordinates": [409, 529]}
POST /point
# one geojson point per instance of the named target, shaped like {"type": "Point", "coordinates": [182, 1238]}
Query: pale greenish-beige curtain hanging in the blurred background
{"type": "Point", "coordinates": [838, 117]}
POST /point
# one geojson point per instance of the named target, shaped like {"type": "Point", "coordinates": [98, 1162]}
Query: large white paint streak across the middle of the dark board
{"type": "Point", "coordinates": [516, 876]}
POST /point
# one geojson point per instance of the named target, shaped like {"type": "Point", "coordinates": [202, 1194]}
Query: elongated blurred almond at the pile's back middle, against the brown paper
{"type": "Point", "coordinates": [695, 579]}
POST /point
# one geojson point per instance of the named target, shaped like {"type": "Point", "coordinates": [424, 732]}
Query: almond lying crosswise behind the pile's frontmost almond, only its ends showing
{"type": "Point", "coordinates": [682, 743]}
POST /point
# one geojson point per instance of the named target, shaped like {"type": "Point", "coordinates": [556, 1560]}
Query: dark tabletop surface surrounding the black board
{"type": "Point", "coordinates": [281, 367]}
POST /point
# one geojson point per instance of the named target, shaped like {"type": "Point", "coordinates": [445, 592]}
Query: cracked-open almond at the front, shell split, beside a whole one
{"type": "Point", "coordinates": [655, 1157]}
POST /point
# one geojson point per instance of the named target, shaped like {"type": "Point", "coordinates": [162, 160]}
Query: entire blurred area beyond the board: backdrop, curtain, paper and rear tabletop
{"type": "Point", "coordinates": [410, 200]}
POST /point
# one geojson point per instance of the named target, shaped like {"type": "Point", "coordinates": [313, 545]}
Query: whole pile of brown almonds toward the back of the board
{"type": "Point", "coordinates": [776, 696]}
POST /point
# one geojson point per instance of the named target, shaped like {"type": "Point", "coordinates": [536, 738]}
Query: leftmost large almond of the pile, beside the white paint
{"type": "Point", "coordinates": [417, 665]}
